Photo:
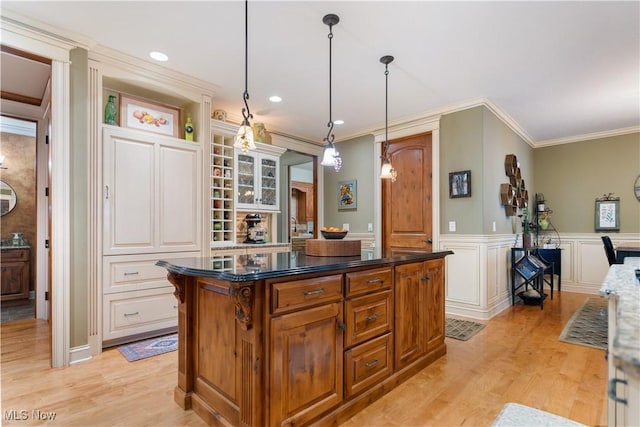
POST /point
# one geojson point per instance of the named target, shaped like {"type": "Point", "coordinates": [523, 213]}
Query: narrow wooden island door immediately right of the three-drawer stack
{"type": "Point", "coordinates": [410, 326]}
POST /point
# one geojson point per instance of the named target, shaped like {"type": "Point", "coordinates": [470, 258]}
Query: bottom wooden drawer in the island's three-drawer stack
{"type": "Point", "coordinates": [367, 364]}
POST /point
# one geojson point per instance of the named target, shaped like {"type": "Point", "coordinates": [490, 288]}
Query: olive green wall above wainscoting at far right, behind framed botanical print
{"type": "Point", "coordinates": [572, 176]}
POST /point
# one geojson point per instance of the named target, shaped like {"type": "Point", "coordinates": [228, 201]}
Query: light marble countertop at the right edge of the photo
{"type": "Point", "coordinates": [622, 284]}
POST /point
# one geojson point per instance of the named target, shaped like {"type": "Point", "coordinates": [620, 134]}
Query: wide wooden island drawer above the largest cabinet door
{"type": "Point", "coordinates": [287, 296]}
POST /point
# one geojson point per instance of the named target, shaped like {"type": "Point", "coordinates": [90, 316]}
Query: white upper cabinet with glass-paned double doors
{"type": "Point", "coordinates": [257, 178]}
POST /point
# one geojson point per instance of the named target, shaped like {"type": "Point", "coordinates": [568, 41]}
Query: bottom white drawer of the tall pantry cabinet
{"type": "Point", "coordinates": [137, 312]}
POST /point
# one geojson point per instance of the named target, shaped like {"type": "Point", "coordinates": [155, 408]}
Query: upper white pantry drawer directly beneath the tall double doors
{"type": "Point", "coordinates": [137, 272]}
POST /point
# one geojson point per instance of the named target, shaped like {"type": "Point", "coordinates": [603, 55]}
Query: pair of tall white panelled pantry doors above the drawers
{"type": "Point", "coordinates": [151, 193]}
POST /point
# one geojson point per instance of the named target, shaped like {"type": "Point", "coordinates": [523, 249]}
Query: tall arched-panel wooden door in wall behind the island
{"type": "Point", "coordinates": [406, 203]}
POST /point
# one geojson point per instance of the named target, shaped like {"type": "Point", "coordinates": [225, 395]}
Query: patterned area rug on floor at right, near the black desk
{"type": "Point", "coordinates": [588, 325]}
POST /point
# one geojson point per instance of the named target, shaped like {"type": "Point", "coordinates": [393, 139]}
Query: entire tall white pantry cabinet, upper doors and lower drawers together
{"type": "Point", "coordinates": [151, 204]}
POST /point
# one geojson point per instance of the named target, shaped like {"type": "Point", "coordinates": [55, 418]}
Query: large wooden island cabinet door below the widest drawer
{"type": "Point", "coordinates": [306, 364]}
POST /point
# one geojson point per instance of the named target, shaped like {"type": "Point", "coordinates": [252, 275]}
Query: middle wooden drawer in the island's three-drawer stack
{"type": "Point", "coordinates": [367, 316]}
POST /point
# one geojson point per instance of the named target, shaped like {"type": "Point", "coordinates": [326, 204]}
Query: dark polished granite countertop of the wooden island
{"type": "Point", "coordinates": [246, 268]}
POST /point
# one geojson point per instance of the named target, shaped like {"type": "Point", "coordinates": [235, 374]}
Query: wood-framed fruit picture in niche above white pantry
{"type": "Point", "coordinates": [141, 114]}
